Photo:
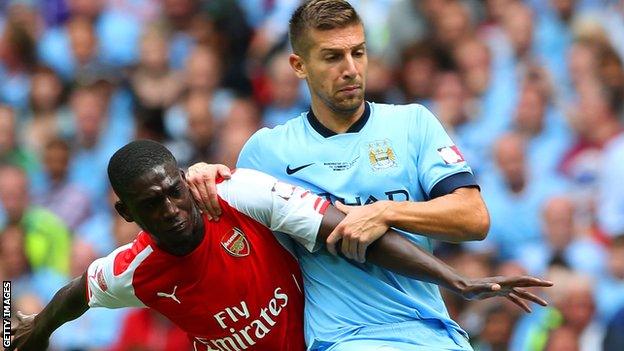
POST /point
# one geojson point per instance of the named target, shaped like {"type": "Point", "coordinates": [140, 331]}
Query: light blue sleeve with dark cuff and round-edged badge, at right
{"type": "Point", "coordinates": [440, 164]}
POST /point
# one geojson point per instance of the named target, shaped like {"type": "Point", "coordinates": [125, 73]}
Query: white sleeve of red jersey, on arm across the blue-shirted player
{"type": "Point", "coordinates": [279, 206]}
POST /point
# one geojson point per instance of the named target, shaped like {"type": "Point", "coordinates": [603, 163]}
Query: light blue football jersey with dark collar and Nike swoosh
{"type": "Point", "coordinates": [395, 152]}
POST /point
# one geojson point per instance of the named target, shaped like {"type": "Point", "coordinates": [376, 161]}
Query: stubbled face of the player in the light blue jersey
{"type": "Point", "coordinates": [335, 67]}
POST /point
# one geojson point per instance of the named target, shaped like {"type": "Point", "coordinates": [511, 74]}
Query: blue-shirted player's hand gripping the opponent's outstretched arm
{"type": "Point", "coordinates": [360, 228]}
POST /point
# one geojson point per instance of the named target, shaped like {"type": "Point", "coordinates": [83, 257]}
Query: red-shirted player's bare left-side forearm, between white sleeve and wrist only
{"type": "Point", "coordinates": [69, 303]}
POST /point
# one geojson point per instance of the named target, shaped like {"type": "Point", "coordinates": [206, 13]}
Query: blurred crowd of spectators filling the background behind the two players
{"type": "Point", "coordinates": [531, 91]}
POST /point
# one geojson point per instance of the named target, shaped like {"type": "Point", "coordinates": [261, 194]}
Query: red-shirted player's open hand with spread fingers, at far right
{"type": "Point", "coordinates": [508, 287]}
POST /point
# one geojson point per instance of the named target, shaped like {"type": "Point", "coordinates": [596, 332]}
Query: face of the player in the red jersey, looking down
{"type": "Point", "coordinates": [161, 203]}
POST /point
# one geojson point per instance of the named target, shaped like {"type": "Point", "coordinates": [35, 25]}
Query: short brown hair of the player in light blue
{"type": "Point", "coordinates": [320, 15]}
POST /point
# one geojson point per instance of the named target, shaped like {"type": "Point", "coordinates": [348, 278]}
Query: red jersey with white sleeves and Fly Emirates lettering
{"type": "Point", "coordinates": [239, 289]}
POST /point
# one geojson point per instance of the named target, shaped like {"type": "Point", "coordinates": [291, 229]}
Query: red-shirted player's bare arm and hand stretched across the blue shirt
{"type": "Point", "coordinates": [396, 253]}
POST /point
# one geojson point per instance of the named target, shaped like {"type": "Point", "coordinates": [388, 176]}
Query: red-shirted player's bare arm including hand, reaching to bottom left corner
{"type": "Point", "coordinates": [33, 332]}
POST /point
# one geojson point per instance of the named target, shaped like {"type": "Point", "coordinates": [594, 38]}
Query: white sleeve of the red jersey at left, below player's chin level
{"type": "Point", "coordinates": [105, 289]}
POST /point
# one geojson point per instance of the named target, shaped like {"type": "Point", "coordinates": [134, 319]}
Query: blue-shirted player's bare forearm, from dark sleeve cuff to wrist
{"type": "Point", "coordinates": [455, 217]}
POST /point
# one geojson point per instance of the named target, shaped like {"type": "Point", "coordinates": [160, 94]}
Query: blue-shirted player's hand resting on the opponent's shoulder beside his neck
{"type": "Point", "coordinates": [201, 179]}
